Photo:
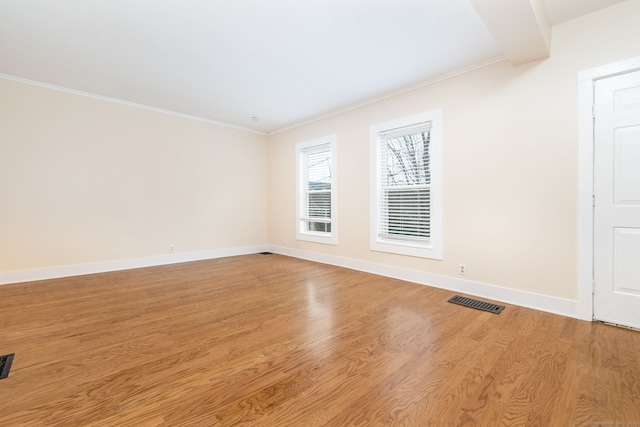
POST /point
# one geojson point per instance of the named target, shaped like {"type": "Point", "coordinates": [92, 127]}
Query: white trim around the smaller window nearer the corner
{"type": "Point", "coordinates": [331, 237]}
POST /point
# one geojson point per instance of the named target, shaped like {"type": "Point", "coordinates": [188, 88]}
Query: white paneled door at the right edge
{"type": "Point", "coordinates": [617, 200]}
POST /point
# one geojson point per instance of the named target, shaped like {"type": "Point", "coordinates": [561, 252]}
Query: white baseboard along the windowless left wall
{"type": "Point", "coordinates": [20, 276]}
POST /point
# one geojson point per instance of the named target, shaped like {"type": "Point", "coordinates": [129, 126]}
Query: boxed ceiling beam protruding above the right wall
{"type": "Point", "coordinates": [521, 28]}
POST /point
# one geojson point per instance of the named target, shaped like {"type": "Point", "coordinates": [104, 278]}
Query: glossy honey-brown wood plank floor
{"type": "Point", "coordinates": [267, 340]}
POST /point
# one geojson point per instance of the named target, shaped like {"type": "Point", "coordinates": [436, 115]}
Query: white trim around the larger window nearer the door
{"type": "Point", "coordinates": [432, 249]}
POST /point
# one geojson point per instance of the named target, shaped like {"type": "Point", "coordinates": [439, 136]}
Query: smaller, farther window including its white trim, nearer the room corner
{"type": "Point", "coordinates": [317, 191]}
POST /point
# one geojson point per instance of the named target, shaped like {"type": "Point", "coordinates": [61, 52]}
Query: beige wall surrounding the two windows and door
{"type": "Point", "coordinates": [510, 163]}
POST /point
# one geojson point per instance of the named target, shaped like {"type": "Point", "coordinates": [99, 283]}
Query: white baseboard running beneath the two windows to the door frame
{"type": "Point", "coordinates": [550, 304]}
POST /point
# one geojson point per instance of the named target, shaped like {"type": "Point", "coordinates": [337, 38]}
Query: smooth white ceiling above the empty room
{"type": "Point", "coordinates": [254, 64]}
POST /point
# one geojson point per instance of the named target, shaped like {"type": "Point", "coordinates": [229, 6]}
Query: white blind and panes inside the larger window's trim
{"type": "Point", "coordinates": [404, 187]}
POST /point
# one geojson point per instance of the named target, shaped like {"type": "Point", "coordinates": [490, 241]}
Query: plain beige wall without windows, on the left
{"type": "Point", "coordinates": [85, 181]}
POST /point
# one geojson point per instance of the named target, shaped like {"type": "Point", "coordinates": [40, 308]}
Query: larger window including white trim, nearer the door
{"type": "Point", "coordinates": [406, 186]}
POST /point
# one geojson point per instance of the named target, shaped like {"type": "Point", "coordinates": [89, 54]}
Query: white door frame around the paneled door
{"type": "Point", "coordinates": [586, 81]}
